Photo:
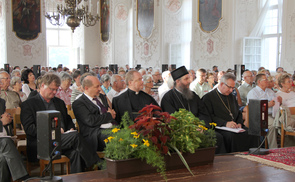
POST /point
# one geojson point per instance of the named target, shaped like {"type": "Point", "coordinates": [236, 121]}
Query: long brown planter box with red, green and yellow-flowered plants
{"type": "Point", "coordinates": [153, 138]}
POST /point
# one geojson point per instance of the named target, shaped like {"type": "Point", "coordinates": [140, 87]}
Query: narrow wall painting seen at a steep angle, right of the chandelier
{"type": "Point", "coordinates": [105, 20]}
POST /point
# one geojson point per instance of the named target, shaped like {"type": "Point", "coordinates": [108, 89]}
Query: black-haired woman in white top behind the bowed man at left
{"type": "Point", "coordinates": [28, 78]}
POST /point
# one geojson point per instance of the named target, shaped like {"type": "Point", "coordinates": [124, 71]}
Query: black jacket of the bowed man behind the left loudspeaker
{"type": "Point", "coordinates": [29, 121]}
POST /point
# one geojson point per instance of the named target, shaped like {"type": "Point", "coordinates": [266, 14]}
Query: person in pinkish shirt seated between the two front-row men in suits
{"type": "Point", "coordinates": [64, 92]}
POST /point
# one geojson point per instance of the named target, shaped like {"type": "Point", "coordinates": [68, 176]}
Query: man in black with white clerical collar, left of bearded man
{"type": "Point", "coordinates": [134, 99]}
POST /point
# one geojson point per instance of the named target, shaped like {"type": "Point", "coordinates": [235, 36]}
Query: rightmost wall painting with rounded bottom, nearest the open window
{"type": "Point", "coordinates": [210, 13]}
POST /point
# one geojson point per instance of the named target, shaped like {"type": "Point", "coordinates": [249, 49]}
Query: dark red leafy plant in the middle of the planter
{"type": "Point", "coordinates": [153, 123]}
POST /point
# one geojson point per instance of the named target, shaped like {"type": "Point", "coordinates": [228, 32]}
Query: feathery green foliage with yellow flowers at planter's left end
{"type": "Point", "coordinates": [126, 143]}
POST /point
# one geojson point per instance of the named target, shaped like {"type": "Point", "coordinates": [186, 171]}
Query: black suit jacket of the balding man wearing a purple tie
{"type": "Point", "coordinates": [90, 119]}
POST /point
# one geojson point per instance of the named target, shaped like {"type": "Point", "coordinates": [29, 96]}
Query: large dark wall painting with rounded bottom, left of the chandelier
{"type": "Point", "coordinates": [26, 18]}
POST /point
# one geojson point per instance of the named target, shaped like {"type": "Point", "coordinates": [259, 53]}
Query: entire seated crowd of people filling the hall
{"type": "Point", "coordinates": [100, 98]}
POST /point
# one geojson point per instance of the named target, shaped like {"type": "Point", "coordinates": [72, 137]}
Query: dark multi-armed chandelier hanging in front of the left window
{"type": "Point", "coordinates": [71, 12]}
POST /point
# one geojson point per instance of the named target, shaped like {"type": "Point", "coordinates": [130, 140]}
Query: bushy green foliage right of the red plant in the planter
{"type": "Point", "coordinates": [189, 133]}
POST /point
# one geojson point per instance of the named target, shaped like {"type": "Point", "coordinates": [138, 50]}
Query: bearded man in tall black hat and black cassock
{"type": "Point", "coordinates": [182, 97]}
